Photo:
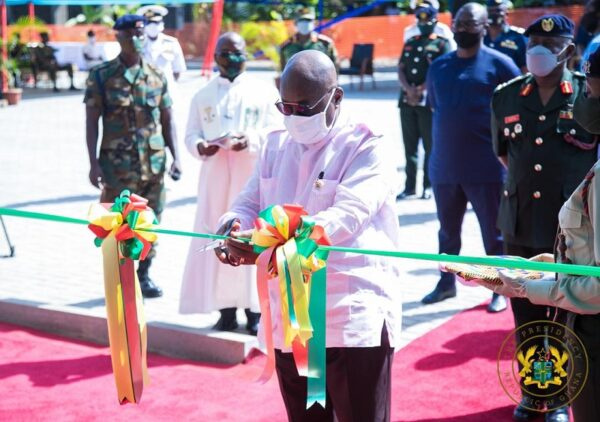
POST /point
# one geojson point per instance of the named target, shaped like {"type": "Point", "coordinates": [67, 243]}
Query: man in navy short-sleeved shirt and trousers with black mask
{"type": "Point", "coordinates": [463, 167]}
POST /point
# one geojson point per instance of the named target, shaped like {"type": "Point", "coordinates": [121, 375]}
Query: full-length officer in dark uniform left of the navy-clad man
{"type": "Point", "coordinates": [415, 117]}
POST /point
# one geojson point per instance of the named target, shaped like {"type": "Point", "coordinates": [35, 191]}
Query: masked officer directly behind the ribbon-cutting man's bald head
{"type": "Point", "coordinates": [307, 39]}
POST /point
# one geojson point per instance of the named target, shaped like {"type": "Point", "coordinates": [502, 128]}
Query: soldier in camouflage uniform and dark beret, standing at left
{"type": "Point", "coordinates": [131, 97]}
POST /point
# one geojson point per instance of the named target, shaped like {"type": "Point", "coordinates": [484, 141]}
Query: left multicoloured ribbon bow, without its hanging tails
{"type": "Point", "coordinates": [129, 218]}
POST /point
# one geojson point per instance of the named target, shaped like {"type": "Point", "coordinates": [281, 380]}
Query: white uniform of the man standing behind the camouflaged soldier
{"type": "Point", "coordinates": [165, 53]}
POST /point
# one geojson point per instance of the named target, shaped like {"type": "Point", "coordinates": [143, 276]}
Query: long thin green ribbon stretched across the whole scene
{"type": "Point", "coordinates": [572, 269]}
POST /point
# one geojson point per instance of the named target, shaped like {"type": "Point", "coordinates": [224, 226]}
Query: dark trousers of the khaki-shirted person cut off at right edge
{"type": "Point", "coordinates": [586, 406]}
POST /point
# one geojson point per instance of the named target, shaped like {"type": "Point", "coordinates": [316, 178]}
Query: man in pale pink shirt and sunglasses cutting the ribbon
{"type": "Point", "coordinates": [340, 174]}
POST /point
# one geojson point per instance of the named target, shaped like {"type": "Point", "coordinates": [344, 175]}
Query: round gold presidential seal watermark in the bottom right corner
{"type": "Point", "coordinates": [542, 365]}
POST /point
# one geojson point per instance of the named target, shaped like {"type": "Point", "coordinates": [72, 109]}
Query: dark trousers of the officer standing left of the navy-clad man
{"type": "Point", "coordinates": [416, 123]}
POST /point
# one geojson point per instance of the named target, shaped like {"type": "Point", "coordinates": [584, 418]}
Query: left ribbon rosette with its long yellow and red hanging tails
{"type": "Point", "coordinates": [120, 230]}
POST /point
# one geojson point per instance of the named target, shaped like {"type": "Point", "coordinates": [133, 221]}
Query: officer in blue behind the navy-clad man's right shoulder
{"type": "Point", "coordinates": [503, 37]}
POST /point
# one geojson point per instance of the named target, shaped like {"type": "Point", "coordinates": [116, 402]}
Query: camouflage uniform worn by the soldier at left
{"type": "Point", "coordinates": [132, 153]}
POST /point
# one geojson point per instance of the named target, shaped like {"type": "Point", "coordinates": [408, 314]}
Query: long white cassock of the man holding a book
{"type": "Point", "coordinates": [245, 105]}
